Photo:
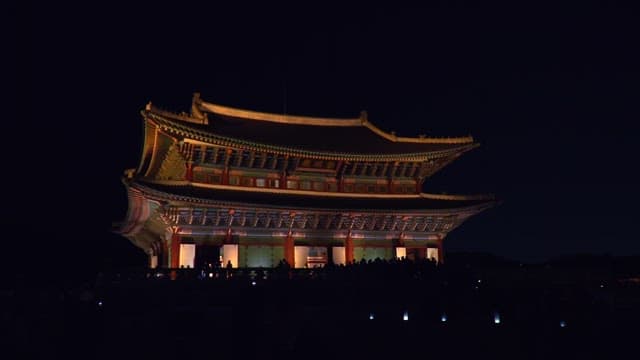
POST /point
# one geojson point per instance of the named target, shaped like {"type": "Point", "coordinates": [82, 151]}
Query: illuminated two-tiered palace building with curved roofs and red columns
{"type": "Point", "coordinates": [220, 185]}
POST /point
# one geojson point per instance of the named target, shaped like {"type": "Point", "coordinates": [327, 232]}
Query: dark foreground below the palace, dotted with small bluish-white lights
{"type": "Point", "coordinates": [341, 313]}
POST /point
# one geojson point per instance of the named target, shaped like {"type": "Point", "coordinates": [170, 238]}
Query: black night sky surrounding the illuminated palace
{"type": "Point", "coordinates": [551, 93]}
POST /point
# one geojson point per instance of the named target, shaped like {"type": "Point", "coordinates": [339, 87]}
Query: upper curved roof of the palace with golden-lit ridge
{"type": "Point", "coordinates": [349, 136]}
